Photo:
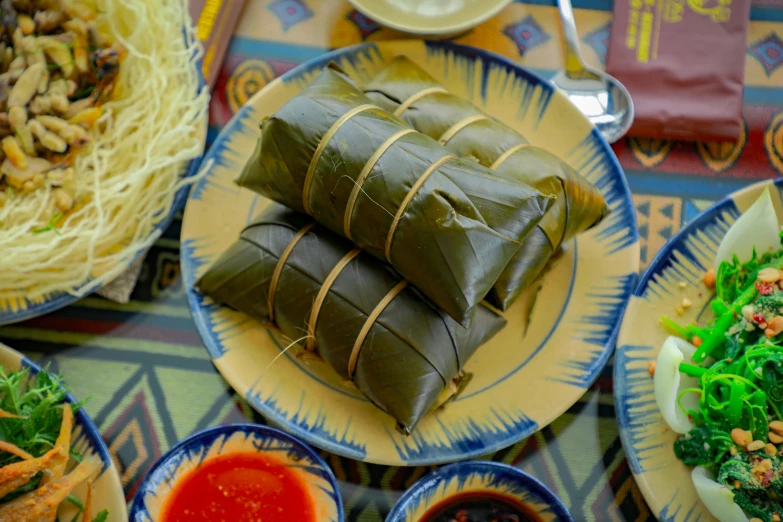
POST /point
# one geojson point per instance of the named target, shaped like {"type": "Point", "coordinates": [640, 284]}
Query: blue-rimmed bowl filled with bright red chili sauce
{"type": "Point", "coordinates": [239, 472]}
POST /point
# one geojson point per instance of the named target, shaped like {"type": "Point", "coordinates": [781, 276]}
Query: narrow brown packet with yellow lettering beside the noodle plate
{"type": "Point", "coordinates": [215, 21]}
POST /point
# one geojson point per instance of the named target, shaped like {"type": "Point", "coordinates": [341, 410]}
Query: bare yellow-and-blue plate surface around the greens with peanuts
{"type": "Point", "coordinates": [664, 480]}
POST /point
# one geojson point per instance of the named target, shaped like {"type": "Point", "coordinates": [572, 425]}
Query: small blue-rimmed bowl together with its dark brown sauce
{"type": "Point", "coordinates": [479, 491]}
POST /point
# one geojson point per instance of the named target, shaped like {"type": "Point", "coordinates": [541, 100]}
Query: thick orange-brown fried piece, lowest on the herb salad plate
{"type": "Point", "coordinates": [38, 504]}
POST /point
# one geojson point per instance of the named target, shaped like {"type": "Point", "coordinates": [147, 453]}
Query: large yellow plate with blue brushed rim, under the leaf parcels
{"type": "Point", "coordinates": [525, 377]}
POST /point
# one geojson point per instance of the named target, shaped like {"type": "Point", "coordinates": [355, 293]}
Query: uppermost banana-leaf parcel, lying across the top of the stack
{"type": "Point", "coordinates": [449, 226]}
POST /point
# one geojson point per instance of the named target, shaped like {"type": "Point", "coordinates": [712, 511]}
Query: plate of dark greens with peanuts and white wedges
{"type": "Point", "coordinates": [699, 366]}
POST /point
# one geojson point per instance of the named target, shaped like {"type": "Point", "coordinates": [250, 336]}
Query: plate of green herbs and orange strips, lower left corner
{"type": "Point", "coordinates": [54, 465]}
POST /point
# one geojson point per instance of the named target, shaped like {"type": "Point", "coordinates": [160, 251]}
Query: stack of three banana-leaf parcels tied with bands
{"type": "Point", "coordinates": [395, 304]}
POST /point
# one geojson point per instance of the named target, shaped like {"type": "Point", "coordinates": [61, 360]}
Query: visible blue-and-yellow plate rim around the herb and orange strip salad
{"type": "Point", "coordinates": [87, 441]}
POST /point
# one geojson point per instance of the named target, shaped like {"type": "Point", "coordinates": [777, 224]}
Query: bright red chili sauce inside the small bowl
{"type": "Point", "coordinates": [240, 487]}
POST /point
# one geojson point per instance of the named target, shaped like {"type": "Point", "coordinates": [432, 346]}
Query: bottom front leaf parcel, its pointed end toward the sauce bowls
{"type": "Point", "coordinates": [411, 352]}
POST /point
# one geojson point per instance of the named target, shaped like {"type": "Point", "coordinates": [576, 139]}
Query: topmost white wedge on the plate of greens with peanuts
{"type": "Point", "coordinates": [757, 227]}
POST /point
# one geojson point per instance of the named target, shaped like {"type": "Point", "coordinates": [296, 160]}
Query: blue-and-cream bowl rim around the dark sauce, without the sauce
{"type": "Point", "coordinates": [493, 477]}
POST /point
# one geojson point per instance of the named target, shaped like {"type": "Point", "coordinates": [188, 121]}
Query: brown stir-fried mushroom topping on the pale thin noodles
{"type": "Point", "coordinates": [56, 69]}
